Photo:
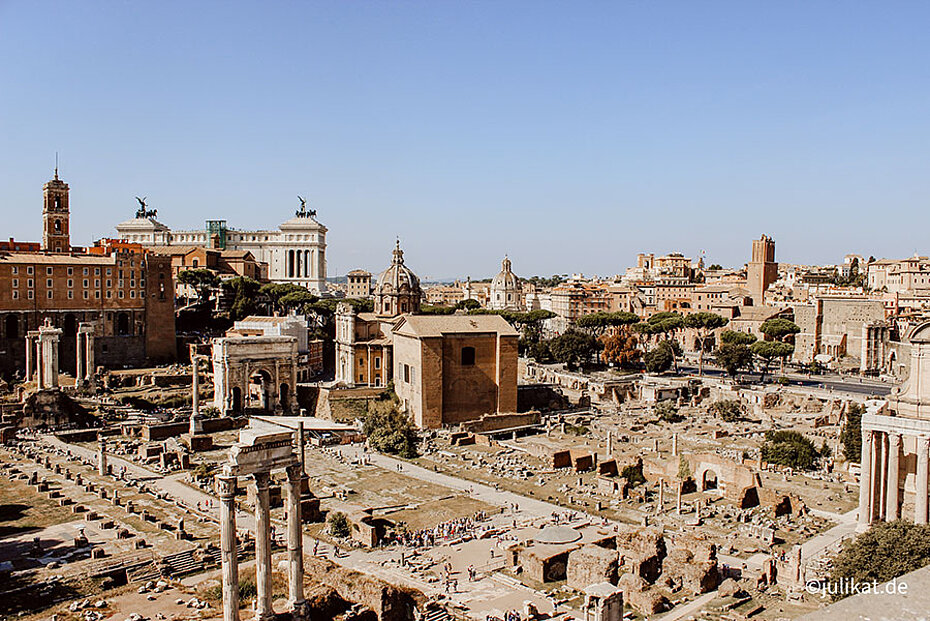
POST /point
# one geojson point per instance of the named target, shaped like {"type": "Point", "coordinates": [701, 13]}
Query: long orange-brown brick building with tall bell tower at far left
{"type": "Point", "coordinates": [127, 296]}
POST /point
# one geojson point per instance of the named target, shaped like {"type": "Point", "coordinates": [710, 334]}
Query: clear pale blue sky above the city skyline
{"type": "Point", "coordinates": [571, 135]}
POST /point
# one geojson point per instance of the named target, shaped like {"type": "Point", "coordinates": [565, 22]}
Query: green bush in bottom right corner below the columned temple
{"type": "Point", "coordinates": [887, 550]}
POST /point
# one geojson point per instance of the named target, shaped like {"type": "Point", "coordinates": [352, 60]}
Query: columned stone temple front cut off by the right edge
{"type": "Point", "coordinates": [895, 459]}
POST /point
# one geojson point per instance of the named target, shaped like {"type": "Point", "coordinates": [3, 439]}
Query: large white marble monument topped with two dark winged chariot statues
{"type": "Point", "coordinates": [295, 253]}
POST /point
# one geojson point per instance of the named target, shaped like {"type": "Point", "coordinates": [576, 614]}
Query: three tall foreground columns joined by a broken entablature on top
{"type": "Point", "coordinates": [256, 455]}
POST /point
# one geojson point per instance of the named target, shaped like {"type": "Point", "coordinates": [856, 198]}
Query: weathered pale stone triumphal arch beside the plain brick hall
{"type": "Point", "coordinates": [255, 373]}
